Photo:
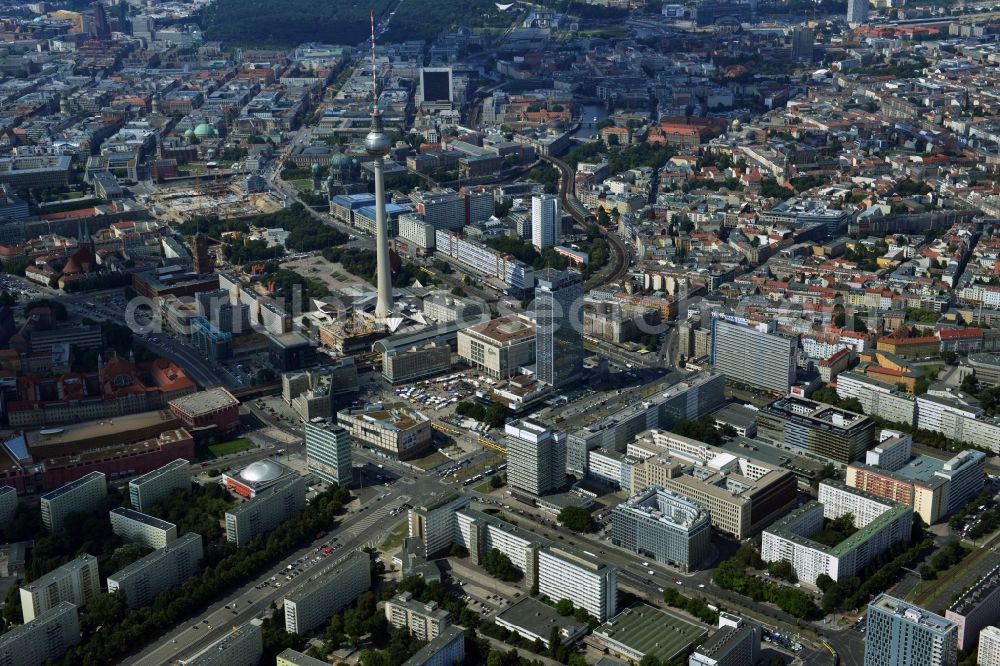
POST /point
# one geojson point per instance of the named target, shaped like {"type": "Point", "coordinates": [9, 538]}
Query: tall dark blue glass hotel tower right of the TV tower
{"type": "Point", "coordinates": [559, 327]}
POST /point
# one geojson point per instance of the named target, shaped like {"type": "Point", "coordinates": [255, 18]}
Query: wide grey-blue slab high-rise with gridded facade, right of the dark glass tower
{"type": "Point", "coordinates": [755, 356]}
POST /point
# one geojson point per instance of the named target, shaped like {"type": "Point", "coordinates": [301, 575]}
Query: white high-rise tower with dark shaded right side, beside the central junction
{"type": "Point", "coordinates": [536, 458]}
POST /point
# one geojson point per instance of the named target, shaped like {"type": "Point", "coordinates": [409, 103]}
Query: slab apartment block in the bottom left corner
{"type": "Point", "coordinates": [43, 640]}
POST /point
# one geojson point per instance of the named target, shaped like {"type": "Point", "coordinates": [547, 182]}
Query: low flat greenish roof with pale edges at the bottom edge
{"type": "Point", "coordinates": [645, 629]}
